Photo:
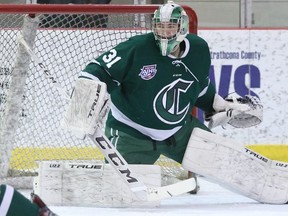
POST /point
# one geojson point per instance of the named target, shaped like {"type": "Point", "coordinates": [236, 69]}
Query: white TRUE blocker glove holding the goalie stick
{"type": "Point", "coordinates": [88, 107]}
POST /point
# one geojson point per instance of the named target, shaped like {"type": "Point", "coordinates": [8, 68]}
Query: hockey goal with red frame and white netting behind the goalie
{"type": "Point", "coordinates": [64, 38]}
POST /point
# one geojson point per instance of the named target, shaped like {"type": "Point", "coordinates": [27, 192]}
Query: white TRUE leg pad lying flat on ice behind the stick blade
{"type": "Point", "coordinates": [94, 184]}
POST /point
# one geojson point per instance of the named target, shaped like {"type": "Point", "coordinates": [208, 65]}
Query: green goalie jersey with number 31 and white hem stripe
{"type": "Point", "coordinates": [151, 93]}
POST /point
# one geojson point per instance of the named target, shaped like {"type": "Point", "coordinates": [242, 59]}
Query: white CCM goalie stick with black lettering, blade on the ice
{"type": "Point", "coordinates": [114, 158]}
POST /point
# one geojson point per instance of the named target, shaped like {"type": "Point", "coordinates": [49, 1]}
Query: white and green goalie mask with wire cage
{"type": "Point", "coordinates": [170, 26]}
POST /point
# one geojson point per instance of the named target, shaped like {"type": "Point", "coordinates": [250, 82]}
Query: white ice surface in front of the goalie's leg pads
{"type": "Point", "coordinates": [212, 200]}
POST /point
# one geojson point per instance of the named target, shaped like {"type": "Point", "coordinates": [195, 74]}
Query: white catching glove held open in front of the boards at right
{"type": "Point", "coordinates": [238, 112]}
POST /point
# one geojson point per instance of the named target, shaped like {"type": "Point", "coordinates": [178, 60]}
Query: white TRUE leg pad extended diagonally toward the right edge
{"type": "Point", "coordinates": [237, 168]}
